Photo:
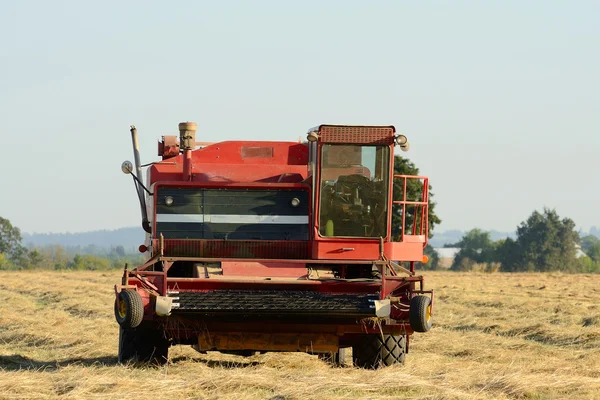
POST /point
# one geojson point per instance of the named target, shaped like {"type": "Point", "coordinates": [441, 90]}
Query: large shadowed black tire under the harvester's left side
{"type": "Point", "coordinates": [143, 345]}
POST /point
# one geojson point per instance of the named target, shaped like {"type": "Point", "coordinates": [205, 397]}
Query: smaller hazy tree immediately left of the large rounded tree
{"type": "Point", "coordinates": [476, 247]}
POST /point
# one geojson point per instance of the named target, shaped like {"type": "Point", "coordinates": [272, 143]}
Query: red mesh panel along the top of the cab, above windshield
{"type": "Point", "coordinates": [357, 134]}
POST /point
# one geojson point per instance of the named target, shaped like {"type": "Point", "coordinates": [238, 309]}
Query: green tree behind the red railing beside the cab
{"type": "Point", "coordinates": [403, 166]}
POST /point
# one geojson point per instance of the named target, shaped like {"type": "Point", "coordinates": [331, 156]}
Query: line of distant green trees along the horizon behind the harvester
{"type": "Point", "coordinates": [544, 243]}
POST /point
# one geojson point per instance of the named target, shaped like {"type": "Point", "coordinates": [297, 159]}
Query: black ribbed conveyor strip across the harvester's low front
{"type": "Point", "coordinates": [273, 303]}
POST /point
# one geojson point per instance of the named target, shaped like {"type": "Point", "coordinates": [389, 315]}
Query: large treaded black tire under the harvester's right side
{"type": "Point", "coordinates": [374, 351]}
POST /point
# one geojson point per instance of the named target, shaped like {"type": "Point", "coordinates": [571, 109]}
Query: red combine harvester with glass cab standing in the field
{"type": "Point", "coordinates": [258, 246]}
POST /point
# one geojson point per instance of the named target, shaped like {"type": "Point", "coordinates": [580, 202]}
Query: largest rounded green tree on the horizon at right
{"type": "Point", "coordinates": [544, 243]}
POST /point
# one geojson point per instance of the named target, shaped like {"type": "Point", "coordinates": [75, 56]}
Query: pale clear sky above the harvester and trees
{"type": "Point", "coordinates": [500, 100]}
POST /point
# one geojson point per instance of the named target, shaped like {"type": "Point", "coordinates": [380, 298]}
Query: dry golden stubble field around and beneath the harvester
{"type": "Point", "coordinates": [496, 336]}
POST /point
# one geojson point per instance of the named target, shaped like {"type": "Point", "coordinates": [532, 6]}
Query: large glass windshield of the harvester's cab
{"type": "Point", "coordinates": [354, 190]}
